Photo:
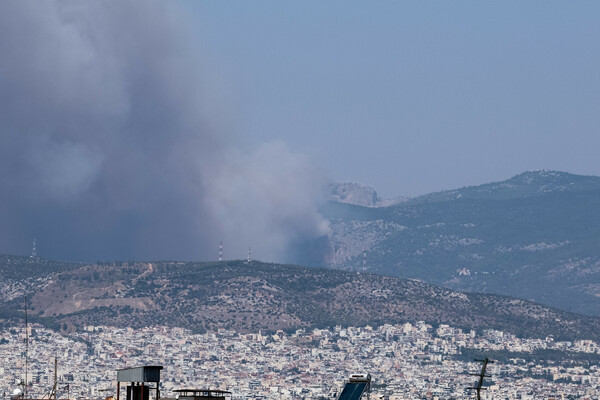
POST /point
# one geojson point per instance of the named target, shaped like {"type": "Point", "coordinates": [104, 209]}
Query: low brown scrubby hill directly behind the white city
{"type": "Point", "coordinates": [254, 296]}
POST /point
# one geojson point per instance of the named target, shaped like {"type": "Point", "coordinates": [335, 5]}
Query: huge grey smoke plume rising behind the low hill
{"type": "Point", "coordinates": [111, 144]}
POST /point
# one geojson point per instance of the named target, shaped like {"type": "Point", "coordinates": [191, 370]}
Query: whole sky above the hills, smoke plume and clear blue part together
{"type": "Point", "coordinates": [156, 129]}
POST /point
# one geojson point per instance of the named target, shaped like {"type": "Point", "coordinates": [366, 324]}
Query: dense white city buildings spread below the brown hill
{"type": "Point", "coordinates": [408, 361]}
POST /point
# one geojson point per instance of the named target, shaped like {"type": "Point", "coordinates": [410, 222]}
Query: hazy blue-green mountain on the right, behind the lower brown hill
{"type": "Point", "coordinates": [535, 236]}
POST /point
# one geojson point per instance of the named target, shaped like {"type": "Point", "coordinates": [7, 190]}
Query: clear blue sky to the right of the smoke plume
{"type": "Point", "coordinates": [414, 97]}
